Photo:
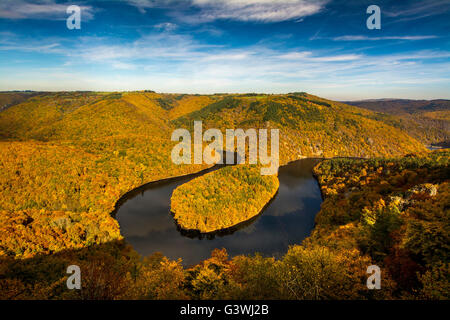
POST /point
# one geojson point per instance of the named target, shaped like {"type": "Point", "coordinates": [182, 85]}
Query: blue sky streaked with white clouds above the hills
{"type": "Point", "coordinates": [204, 46]}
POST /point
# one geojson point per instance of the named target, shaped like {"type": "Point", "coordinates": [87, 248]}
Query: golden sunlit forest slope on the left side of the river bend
{"type": "Point", "coordinates": [79, 156]}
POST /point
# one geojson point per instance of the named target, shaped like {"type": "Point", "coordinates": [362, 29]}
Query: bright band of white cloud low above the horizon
{"type": "Point", "coordinates": [170, 62]}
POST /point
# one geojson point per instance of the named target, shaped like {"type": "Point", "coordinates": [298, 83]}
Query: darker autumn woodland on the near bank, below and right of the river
{"type": "Point", "coordinates": [390, 212]}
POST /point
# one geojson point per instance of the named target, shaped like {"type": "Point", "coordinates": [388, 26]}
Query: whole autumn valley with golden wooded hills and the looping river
{"type": "Point", "coordinates": [68, 157]}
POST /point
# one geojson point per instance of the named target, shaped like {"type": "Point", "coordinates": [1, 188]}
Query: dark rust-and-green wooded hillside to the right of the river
{"type": "Point", "coordinates": [394, 210]}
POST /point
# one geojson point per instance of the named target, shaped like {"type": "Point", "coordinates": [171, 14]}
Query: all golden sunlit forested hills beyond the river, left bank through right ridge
{"type": "Point", "coordinates": [79, 152]}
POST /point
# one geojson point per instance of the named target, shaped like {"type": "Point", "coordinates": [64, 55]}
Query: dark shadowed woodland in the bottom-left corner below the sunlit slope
{"type": "Point", "coordinates": [107, 272]}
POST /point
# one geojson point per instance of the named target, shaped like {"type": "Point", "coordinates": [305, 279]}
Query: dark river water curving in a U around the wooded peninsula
{"type": "Point", "coordinates": [147, 224]}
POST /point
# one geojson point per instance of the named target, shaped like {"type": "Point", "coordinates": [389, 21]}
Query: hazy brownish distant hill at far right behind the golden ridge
{"type": "Point", "coordinates": [425, 120]}
